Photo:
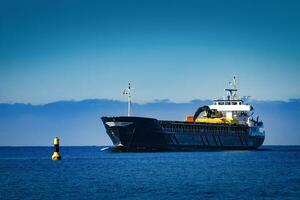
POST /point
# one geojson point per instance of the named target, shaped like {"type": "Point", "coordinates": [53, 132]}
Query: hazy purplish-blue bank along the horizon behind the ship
{"type": "Point", "coordinates": [78, 122]}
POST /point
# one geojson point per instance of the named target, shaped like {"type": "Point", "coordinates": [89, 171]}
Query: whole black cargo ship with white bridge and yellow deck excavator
{"type": "Point", "coordinates": [227, 124]}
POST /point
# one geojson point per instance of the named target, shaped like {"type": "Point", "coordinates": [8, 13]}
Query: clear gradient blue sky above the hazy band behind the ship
{"type": "Point", "coordinates": [170, 49]}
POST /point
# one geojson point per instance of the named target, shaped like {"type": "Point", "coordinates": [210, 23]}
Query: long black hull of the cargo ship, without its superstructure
{"type": "Point", "coordinates": [148, 134]}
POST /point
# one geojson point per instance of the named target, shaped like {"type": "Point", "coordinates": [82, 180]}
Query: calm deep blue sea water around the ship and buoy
{"type": "Point", "coordinates": [89, 173]}
